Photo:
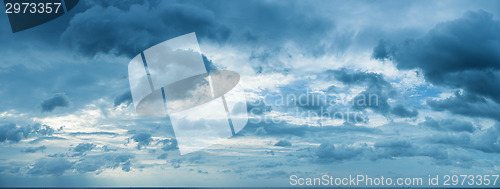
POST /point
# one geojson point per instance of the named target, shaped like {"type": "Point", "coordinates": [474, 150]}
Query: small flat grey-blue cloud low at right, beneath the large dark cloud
{"type": "Point", "coordinates": [448, 125]}
